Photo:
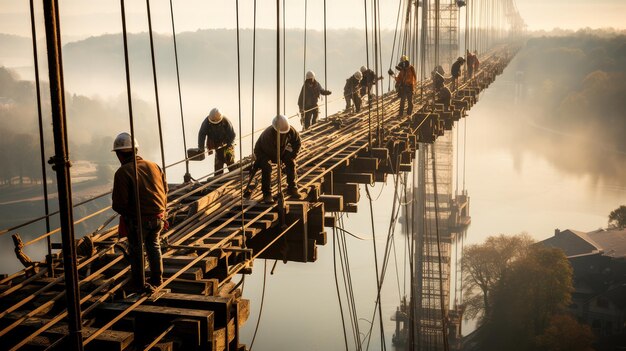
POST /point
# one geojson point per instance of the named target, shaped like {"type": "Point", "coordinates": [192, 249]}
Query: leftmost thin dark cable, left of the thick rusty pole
{"type": "Point", "coordinates": [42, 147]}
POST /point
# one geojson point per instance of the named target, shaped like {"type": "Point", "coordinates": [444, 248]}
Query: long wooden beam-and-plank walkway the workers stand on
{"type": "Point", "coordinates": [213, 237]}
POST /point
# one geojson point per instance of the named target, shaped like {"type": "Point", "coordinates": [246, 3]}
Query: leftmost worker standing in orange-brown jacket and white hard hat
{"type": "Point", "coordinates": [152, 189]}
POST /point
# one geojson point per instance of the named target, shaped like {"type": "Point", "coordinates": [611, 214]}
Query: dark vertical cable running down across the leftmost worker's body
{"type": "Point", "coordinates": [139, 221]}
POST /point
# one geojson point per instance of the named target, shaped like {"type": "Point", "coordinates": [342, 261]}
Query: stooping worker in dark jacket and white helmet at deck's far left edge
{"type": "Point", "coordinates": [217, 133]}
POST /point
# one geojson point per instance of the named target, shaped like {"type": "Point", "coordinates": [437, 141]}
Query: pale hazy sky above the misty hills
{"type": "Point", "coordinates": [81, 18]}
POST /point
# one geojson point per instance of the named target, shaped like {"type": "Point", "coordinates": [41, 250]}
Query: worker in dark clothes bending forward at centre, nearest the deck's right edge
{"type": "Point", "coordinates": [265, 151]}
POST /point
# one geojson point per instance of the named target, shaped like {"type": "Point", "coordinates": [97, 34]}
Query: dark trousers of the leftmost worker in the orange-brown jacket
{"type": "Point", "coordinates": [151, 230]}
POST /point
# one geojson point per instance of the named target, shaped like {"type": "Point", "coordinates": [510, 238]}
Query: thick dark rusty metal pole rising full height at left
{"type": "Point", "coordinates": [61, 165]}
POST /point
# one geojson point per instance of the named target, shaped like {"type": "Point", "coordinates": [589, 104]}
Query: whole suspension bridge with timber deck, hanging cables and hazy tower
{"type": "Point", "coordinates": [74, 298]}
